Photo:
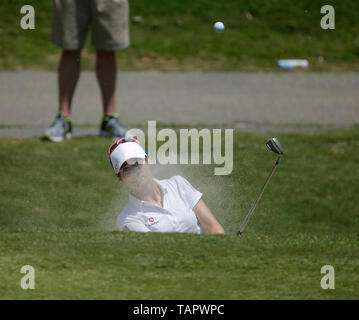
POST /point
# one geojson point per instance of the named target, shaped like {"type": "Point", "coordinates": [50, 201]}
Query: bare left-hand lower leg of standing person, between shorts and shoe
{"type": "Point", "coordinates": [68, 76]}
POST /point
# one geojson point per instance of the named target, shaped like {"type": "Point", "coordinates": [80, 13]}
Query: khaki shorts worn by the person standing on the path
{"type": "Point", "coordinates": [108, 20]}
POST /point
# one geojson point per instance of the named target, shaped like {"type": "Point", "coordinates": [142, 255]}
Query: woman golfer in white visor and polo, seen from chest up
{"type": "Point", "coordinates": [169, 205]}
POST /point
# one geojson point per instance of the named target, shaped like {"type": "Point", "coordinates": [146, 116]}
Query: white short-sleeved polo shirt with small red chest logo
{"type": "Point", "coordinates": [177, 215]}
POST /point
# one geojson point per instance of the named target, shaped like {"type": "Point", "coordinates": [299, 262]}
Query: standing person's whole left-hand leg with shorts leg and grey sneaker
{"type": "Point", "coordinates": [70, 23]}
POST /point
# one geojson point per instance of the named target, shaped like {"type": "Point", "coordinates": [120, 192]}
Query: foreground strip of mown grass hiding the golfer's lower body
{"type": "Point", "coordinates": [113, 265]}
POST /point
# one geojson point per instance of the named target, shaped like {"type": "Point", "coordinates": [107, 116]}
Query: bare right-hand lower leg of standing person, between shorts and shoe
{"type": "Point", "coordinates": [106, 76]}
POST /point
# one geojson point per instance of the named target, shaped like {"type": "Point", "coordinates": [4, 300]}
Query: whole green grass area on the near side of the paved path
{"type": "Point", "coordinates": [59, 202]}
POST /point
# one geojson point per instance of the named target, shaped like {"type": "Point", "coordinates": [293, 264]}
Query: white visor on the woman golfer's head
{"type": "Point", "coordinates": [124, 152]}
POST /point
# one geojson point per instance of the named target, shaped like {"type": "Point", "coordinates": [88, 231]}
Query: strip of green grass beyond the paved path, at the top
{"type": "Point", "coordinates": [178, 35]}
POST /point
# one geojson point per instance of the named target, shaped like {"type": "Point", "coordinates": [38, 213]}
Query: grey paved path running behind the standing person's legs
{"type": "Point", "coordinates": [28, 100]}
